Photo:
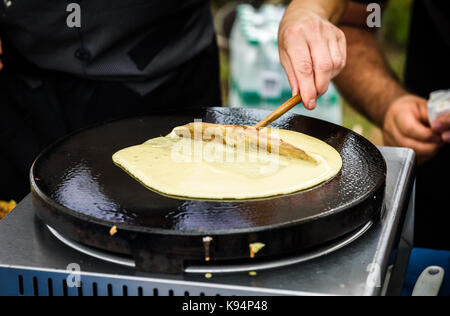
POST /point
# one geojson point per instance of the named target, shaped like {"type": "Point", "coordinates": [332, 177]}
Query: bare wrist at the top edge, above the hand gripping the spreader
{"type": "Point", "coordinates": [331, 10]}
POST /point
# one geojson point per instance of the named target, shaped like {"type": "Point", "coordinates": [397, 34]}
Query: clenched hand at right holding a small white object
{"type": "Point", "coordinates": [406, 124]}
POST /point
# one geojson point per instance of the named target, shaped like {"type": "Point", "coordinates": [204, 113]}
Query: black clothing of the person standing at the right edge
{"type": "Point", "coordinates": [428, 70]}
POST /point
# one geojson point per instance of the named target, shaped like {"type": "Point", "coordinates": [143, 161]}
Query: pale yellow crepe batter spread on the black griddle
{"type": "Point", "coordinates": [196, 169]}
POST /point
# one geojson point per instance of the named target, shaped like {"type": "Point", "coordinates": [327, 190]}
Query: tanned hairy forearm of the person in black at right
{"type": "Point", "coordinates": [367, 81]}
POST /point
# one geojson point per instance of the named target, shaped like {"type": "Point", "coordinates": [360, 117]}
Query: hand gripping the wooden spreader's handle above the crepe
{"type": "Point", "coordinates": [312, 51]}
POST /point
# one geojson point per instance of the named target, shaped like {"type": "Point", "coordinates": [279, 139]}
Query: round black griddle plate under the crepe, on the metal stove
{"type": "Point", "coordinates": [79, 191]}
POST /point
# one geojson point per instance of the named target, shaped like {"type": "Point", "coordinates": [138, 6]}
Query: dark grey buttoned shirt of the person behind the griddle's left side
{"type": "Point", "coordinates": [135, 41]}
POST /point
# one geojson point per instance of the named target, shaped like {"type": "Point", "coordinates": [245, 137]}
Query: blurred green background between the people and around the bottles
{"type": "Point", "coordinates": [393, 38]}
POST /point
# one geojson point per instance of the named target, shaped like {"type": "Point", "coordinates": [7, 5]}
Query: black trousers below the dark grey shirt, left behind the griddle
{"type": "Point", "coordinates": [32, 118]}
